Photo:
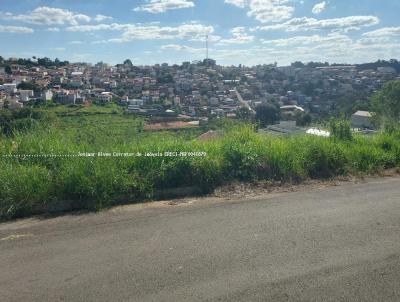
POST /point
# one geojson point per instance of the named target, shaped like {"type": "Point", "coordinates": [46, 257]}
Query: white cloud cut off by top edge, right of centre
{"type": "Point", "coordinates": [265, 10]}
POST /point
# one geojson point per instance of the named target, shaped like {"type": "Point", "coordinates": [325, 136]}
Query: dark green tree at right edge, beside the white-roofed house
{"type": "Point", "coordinates": [386, 102]}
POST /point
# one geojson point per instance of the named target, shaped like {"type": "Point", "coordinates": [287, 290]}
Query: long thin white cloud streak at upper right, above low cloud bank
{"type": "Point", "coordinates": [309, 24]}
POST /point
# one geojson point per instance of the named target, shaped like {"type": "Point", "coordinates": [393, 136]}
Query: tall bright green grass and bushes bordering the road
{"type": "Point", "coordinates": [96, 182]}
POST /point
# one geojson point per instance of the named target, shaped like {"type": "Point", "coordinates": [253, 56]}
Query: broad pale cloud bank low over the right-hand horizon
{"type": "Point", "coordinates": [333, 48]}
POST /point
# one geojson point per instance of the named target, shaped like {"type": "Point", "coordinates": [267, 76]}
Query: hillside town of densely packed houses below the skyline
{"type": "Point", "coordinates": [199, 89]}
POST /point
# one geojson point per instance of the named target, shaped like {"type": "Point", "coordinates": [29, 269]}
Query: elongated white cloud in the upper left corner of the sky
{"type": "Point", "coordinates": [49, 16]}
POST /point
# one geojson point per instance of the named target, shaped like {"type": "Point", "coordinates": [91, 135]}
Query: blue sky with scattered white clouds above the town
{"type": "Point", "coordinates": [248, 32]}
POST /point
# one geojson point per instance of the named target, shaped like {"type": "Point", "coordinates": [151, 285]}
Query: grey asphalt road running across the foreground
{"type": "Point", "coordinates": [337, 243]}
